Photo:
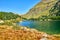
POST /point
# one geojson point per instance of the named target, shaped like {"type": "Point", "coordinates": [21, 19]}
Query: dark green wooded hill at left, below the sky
{"type": "Point", "coordinates": [8, 15]}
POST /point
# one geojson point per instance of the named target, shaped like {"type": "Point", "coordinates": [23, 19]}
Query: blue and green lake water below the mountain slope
{"type": "Point", "coordinates": [46, 26]}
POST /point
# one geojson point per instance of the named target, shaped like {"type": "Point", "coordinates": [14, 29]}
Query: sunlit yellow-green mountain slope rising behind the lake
{"type": "Point", "coordinates": [40, 9]}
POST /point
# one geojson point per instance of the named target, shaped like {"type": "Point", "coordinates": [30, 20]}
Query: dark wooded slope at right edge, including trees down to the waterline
{"type": "Point", "coordinates": [55, 11]}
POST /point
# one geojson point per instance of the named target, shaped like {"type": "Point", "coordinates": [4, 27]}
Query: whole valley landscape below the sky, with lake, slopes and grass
{"type": "Point", "coordinates": [41, 22]}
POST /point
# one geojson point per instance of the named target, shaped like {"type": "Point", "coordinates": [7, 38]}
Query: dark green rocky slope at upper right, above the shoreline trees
{"type": "Point", "coordinates": [55, 10]}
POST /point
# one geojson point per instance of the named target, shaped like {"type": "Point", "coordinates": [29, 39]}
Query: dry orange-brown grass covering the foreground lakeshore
{"type": "Point", "coordinates": [11, 34]}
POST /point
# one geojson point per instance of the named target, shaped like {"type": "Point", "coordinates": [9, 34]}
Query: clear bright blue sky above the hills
{"type": "Point", "coordinates": [17, 6]}
